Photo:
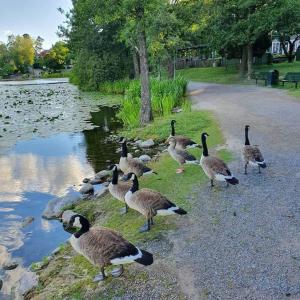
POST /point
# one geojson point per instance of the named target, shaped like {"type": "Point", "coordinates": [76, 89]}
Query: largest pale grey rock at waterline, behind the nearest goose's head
{"type": "Point", "coordinates": [55, 206]}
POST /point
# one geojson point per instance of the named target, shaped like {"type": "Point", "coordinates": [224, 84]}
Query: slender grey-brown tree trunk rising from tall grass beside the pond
{"type": "Point", "coordinates": [146, 111]}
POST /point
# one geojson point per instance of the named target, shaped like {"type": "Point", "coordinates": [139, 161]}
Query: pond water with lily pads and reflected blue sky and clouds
{"type": "Point", "coordinates": [51, 137]}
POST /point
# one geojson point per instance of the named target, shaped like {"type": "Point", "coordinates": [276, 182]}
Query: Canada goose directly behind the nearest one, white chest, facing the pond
{"type": "Point", "coordinates": [149, 203]}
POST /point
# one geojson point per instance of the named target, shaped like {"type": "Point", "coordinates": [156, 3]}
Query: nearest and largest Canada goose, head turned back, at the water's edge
{"type": "Point", "coordinates": [104, 247]}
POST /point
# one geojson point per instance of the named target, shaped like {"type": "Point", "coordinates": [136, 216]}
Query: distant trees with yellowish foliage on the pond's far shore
{"type": "Point", "coordinates": [22, 53]}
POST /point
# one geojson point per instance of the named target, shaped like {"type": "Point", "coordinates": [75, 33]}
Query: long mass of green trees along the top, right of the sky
{"type": "Point", "coordinates": [110, 40]}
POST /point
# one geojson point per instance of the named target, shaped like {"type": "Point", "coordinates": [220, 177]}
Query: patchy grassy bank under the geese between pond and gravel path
{"type": "Point", "coordinates": [70, 276]}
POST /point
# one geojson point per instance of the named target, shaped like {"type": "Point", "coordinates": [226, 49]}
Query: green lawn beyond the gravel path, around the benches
{"type": "Point", "coordinates": [230, 75]}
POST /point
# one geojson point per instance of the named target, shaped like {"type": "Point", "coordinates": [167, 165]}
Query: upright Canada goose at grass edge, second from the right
{"type": "Point", "coordinates": [215, 168]}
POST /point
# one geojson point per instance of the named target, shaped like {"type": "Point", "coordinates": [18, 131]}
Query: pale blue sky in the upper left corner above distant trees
{"type": "Point", "coordinates": [35, 17]}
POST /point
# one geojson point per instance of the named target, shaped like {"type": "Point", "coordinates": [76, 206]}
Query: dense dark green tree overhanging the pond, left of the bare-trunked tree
{"type": "Point", "coordinates": [96, 49]}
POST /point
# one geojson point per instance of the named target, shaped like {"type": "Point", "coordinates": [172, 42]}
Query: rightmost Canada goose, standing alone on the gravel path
{"type": "Point", "coordinates": [252, 154]}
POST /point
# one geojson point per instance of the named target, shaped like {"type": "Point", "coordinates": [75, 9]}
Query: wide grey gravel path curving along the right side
{"type": "Point", "coordinates": [244, 242]}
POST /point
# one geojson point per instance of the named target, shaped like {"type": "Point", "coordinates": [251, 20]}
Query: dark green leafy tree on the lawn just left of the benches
{"type": "Point", "coordinates": [239, 24]}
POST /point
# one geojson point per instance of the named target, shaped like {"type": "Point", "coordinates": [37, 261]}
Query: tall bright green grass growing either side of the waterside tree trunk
{"type": "Point", "coordinates": [165, 95]}
